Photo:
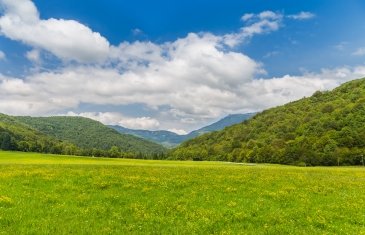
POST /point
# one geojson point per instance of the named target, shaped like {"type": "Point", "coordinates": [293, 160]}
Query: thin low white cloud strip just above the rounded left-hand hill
{"type": "Point", "coordinates": [113, 118]}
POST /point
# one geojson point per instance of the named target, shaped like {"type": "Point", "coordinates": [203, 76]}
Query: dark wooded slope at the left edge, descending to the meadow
{"type": "Point", "coordinates": [15, 135]}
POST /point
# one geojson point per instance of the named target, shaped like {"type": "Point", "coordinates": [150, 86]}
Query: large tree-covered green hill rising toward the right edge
{"type": "Point", "coordinates": [324, 129]}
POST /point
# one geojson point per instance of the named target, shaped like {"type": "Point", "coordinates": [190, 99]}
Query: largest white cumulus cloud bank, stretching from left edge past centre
{"type": "Point", "coordinates": [191, 75]}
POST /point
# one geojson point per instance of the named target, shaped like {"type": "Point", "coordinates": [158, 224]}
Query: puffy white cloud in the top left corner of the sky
{"type": "Point", "coordinates": [66, 39]}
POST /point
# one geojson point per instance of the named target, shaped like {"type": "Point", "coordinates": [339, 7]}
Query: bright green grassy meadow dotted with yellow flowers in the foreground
{"type": "Point", "coordinates": [45, 194]}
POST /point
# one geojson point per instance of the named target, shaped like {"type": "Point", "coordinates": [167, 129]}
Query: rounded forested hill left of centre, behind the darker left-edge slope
{"type": "Point", "coordinates": [89, 134]}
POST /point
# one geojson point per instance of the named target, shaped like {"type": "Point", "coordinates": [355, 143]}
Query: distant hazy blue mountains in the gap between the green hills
{"type": "Point", "coordinates": [171, 139]}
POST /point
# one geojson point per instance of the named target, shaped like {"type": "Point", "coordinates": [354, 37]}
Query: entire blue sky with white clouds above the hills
{"type": "Point", "coordinates": [173, 65]}
